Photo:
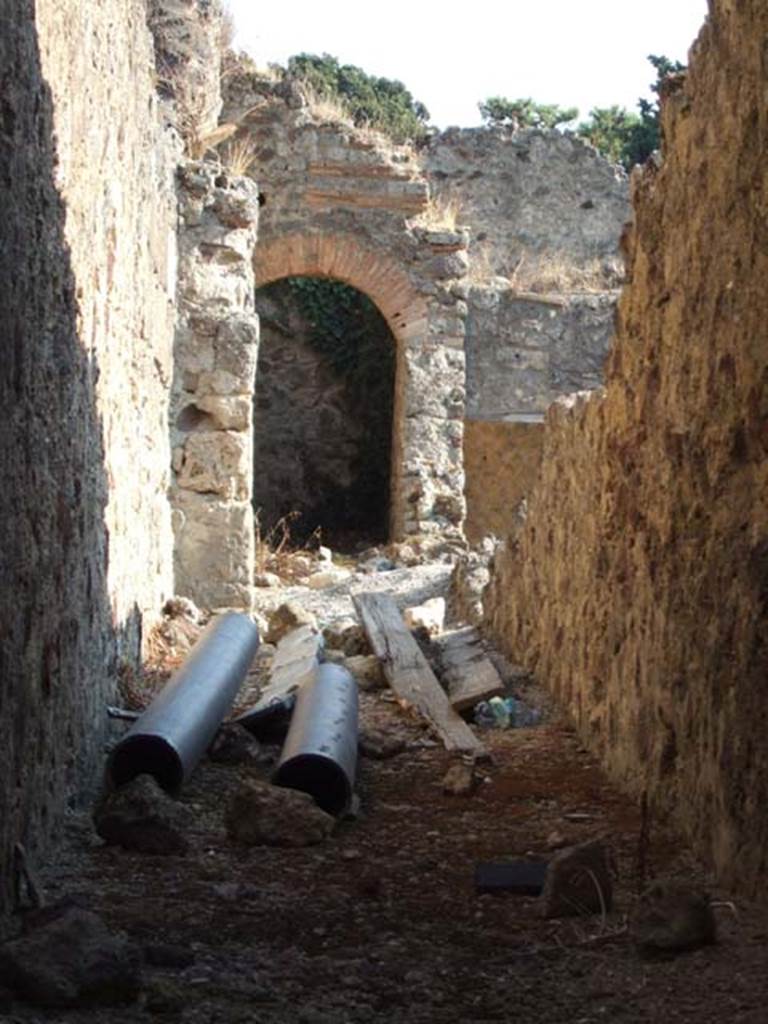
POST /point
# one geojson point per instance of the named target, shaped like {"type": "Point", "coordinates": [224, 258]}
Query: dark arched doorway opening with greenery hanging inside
{"type": "Point", "coordinates": [323, 413]}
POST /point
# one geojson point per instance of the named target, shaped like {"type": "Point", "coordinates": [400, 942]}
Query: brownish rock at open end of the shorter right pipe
{"type": "Point", "coordinates": [269, 816]}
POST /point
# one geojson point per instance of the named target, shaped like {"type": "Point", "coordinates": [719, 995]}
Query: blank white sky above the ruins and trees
{"type": "Point", "coordinates": [581, 54]}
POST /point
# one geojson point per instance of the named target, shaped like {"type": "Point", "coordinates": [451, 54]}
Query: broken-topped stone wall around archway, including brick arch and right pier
{"type": "Point", "coordinates": [346, 204]}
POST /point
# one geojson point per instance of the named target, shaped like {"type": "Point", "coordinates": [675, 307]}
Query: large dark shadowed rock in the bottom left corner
{"type": "Point", "coordinates": [69, 958]}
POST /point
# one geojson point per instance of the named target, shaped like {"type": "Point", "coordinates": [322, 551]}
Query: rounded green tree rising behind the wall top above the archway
{"type": "Point", "coordinates": [381, 103]}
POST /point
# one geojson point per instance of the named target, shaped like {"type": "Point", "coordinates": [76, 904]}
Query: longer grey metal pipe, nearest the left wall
{"type": "Point", "coordinates": [175, 733]}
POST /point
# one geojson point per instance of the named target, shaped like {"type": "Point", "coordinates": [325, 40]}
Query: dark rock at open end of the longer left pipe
{"type": "Point", "coordinates": [141, 817]}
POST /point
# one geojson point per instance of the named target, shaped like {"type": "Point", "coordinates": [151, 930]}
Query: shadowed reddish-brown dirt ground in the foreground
{"type": "Point", "coordinates": [382, 922]}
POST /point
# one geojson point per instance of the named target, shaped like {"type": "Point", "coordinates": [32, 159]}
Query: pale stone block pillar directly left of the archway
{"type": "Point", "coordinates": [215, 369]}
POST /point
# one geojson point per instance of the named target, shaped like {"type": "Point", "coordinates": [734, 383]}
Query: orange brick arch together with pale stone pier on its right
{"type": "Point", "coordinates": [419, 298]}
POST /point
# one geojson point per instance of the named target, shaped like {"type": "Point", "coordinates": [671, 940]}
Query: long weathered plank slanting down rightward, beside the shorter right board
{"type": "Point", "coordinates": [409, 674]}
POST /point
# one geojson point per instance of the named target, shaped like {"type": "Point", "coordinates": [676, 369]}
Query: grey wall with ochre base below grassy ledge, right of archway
{"type": "Point", "coordinates": [524, 351]}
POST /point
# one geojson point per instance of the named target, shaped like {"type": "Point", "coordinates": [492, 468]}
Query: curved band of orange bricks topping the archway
{"type": "Point", "coordinates": [342, 258]}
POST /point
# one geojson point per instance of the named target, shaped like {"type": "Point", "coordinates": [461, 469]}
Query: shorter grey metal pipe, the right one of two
{"type": "Point", "coordinates": [320, 755]}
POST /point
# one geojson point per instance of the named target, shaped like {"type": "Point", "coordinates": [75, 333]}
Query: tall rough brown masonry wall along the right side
{"type": "Point", "coordinates": [637, 588]}
